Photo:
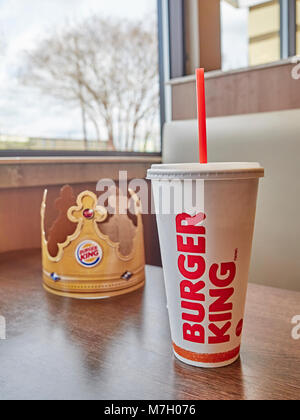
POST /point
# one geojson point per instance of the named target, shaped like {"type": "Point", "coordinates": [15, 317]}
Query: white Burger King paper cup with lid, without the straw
{"type": "Point", "coordinates": [206, 248]}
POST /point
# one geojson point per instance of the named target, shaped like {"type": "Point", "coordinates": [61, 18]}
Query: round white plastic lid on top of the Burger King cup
{"type": "Point", "coordinates": [209, 171]}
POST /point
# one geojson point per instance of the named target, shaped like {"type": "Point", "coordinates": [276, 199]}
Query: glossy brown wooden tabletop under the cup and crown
{"type": "Point", "coordinates": [120, 349]}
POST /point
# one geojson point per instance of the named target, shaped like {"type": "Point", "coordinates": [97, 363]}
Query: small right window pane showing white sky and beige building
{"type": "Point", "coordinates": [250, 32]}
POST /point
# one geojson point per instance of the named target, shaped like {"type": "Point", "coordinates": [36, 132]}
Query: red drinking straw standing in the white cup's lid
{"type": "Point", "coordinates": [201, 115]}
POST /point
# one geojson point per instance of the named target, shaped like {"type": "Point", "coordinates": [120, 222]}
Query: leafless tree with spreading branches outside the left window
{"type": "Point", "coordinates": [108, 68]}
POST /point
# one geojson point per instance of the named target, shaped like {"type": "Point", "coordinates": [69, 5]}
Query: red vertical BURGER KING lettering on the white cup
{"type": "Point", "coordinates": [192, 265]}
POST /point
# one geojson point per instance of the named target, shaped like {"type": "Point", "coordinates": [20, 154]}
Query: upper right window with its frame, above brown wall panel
{"type": "Point", "coordinates": [233, 34]}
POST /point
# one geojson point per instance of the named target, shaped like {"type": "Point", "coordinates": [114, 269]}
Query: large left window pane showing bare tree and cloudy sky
{"type": "Point", "coordinates": [79, 75]}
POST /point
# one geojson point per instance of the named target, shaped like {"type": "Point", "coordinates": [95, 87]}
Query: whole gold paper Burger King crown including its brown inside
{"type": "Point", "coordinates": [88, 254]}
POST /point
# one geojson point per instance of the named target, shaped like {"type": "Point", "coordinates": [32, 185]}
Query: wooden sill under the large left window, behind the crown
{"type": "Point", "coordinates": [51, 171]}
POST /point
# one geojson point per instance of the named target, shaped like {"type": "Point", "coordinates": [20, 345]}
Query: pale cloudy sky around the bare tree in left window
{"type": "Point", "coordinates": [23, 23]}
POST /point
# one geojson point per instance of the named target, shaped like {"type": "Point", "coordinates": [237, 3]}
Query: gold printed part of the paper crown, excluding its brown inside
{"type": "Point", "coordinates": [89, 265]}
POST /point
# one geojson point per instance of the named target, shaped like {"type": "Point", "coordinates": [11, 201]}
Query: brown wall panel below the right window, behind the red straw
{"type": "Point", "coordinates": [253, 90]}
